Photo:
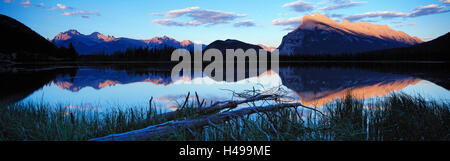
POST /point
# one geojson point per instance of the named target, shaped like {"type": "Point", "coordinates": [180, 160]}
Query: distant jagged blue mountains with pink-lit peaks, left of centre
{"type": "Point", "coordinates": [97, 43]}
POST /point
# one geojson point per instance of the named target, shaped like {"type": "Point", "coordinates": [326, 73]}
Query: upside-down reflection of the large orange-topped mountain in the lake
{"type": "Point", "coordinates": [319, 86]}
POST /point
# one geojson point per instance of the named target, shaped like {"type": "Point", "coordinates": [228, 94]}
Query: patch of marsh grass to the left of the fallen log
{"type": "Point", "coordinates": [41, 122]}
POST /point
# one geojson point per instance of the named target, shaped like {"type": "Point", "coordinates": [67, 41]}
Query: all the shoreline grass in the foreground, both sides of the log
{"type": "Point", "coordinates": [397, 117]}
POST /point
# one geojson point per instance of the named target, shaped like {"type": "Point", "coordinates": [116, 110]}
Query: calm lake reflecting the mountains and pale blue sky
{"type": "Point", "coordinates": [126, 85]}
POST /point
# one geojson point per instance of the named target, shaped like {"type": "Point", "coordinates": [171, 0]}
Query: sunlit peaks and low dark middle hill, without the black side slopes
{"type": "Point", "coordinates": [317, 34]}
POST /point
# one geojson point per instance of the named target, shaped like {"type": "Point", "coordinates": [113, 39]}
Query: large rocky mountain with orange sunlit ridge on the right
{"type": "Point", "coordinates": [319, 34]}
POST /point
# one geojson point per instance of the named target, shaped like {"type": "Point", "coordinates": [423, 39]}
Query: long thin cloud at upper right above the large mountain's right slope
{"type": "Point", "coordinates": [419, 11]}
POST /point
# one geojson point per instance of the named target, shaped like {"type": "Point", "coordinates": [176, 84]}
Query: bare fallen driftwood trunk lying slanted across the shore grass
{"type": "Point", "coordinates": [167, 128]}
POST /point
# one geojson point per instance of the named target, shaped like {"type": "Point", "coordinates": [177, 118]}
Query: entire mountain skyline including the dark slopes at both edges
{"type": "Point", "coordinates": [316, 35]}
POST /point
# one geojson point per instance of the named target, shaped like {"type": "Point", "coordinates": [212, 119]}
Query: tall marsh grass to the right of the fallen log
{"type": "Point", "coordinates": [397, 117]}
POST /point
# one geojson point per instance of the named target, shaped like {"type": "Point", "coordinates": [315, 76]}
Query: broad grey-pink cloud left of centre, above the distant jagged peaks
{"type": "Point", "coordinates": [199, 17]}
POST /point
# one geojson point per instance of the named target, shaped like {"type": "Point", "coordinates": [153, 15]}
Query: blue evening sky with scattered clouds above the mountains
{"type": "Point", "coordinates": [204, 21]}
